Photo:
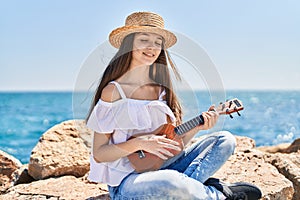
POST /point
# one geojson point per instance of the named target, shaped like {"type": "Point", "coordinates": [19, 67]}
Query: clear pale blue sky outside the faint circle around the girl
{"type": "Point", "coordinates": [253, 44]}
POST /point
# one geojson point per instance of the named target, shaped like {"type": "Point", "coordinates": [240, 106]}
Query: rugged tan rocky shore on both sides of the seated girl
{"type": "Point", "coordinates": [59, 165]}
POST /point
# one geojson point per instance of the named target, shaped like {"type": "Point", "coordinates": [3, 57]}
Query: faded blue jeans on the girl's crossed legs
{"type": "Point", "coordinates": [181, 177]}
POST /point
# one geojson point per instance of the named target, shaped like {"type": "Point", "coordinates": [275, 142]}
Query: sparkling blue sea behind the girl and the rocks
{"type": "Point", "coordinates": [269, 117]}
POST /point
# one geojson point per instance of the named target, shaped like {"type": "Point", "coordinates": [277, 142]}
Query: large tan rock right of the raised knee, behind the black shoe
{"type": "Point", "coordinates": [248, 165]}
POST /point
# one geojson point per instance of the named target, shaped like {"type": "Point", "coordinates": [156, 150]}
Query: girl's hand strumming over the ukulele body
{"type": "Point", "coordinates": [158, 145]}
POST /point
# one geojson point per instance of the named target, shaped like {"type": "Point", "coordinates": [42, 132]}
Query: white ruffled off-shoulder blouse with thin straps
{"type": "Point", "coordinates": [124, 118]}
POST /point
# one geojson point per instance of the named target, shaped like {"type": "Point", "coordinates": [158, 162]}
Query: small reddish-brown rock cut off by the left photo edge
{"type": "Point", "coordinates": [9, 170]}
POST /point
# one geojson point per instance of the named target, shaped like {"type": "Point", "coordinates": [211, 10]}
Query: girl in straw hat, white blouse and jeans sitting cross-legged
{"type": "Point", "coordinates": [135, 97]}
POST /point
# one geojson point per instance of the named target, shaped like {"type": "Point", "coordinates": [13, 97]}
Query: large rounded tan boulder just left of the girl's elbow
{"type": "Point", "coordinates": [61, 151]}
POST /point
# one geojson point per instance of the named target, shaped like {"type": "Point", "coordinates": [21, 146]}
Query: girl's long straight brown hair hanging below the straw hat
{"type": "Point", "coordinates": [158, 72]}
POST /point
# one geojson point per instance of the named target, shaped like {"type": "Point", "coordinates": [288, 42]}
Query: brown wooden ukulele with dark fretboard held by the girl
{"type": "Point", "coordinates": [143, 161]}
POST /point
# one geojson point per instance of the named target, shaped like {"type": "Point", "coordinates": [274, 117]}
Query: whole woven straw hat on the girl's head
{"type": "Point", "coordinates": [142, 22]}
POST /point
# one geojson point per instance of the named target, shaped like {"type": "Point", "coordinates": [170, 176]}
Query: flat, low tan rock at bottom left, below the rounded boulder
{"type": "Point", "coordinates": [66, 187]}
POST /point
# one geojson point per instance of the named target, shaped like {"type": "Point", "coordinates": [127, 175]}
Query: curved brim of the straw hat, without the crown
{"type": "Point", "coordinates": [116, 36]}
